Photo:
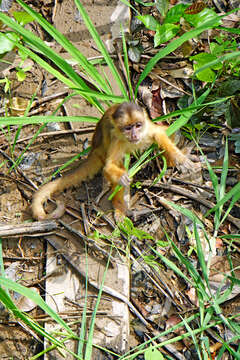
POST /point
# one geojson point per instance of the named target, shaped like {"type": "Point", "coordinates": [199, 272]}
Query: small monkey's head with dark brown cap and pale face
{"type": "Point", "coordinates": [129, 119]}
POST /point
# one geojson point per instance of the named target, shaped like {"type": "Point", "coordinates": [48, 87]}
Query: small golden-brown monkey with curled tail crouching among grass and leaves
{"type": "Point", "coordinates": [124, 128]}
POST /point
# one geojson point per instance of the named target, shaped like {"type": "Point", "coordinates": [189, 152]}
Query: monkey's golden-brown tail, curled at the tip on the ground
{"type": "Point", "coordinates": [85, 171]}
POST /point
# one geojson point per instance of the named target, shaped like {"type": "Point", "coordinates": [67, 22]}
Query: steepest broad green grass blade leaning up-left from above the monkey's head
{"type": "Point", "coordinates": [102, 48]}
